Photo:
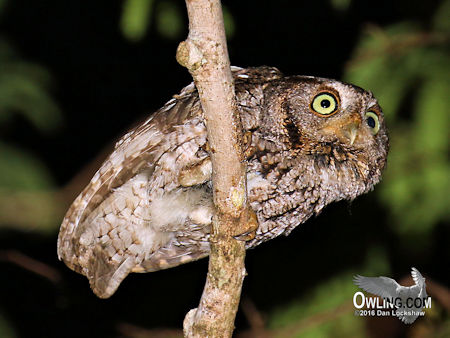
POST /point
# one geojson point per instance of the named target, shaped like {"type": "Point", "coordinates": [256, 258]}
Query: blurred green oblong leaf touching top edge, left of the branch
{"type": "Point", "coordinates": [135, 20]}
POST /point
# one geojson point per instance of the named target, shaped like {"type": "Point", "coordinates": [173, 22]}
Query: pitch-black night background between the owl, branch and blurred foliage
{"type": "Point", "coordinates": [104, 83]}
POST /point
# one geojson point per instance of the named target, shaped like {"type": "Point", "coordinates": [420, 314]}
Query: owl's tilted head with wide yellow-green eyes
{"type": "Point", "coordinates": [337, 124]}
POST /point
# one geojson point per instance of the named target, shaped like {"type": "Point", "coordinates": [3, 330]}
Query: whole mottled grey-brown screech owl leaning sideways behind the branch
{"type": "Point", "coordinates": [312, 141]}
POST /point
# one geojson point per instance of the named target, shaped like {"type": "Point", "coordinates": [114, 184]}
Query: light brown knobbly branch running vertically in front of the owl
{"type": "Point", "coordinates": [204, 53]}
